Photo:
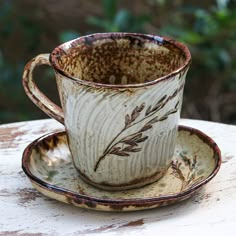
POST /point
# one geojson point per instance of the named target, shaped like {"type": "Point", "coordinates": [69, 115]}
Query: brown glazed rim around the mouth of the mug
{"type": "Point", "coordinates": [158, 39]}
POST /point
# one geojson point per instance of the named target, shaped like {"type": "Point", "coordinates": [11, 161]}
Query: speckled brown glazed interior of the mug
{"type": "Point", "coordinates": [118, 59]}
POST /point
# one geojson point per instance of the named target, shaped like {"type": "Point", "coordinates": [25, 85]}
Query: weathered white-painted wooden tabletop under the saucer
{"type": "Point", "coordinates": [24, 211]}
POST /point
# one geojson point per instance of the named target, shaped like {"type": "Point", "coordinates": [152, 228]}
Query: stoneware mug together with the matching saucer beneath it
{"type": "Point", "coordinates": [122, 148]}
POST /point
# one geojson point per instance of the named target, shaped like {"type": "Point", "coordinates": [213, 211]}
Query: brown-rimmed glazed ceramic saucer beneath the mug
{"type": "Point", "coordinates": [47, 163]}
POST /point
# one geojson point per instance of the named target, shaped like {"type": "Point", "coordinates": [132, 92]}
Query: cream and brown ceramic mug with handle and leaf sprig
{"type": "Point", "coordinates": [121, 96]}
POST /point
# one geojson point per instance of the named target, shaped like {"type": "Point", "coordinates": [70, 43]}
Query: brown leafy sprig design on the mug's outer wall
{"type": "Point", "coordinates": [130, 144]}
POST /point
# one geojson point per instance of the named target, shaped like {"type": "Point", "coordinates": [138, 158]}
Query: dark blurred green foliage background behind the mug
{"type": "Point", "coordinates": [29, 27]}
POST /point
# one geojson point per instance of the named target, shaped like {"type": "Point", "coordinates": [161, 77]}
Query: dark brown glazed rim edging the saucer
{"type": "Point", "coordinates": [121, 203]}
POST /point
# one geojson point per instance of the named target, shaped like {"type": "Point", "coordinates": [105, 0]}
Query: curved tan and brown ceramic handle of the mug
{"type": "Point", "coordinates": [33, 92]}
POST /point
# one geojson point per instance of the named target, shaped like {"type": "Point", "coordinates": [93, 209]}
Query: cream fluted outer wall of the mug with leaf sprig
{"type": "Point", "coordinates": [118, 136]}
